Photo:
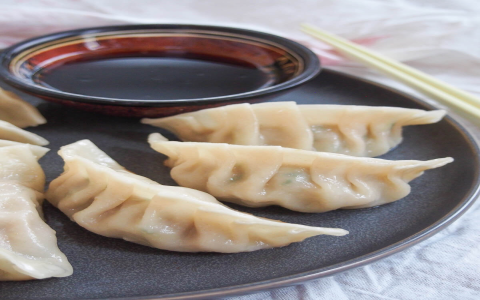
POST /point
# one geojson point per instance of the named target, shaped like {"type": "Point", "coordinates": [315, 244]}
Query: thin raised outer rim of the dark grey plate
{"type": "Point", "coordinates": [467, 201]}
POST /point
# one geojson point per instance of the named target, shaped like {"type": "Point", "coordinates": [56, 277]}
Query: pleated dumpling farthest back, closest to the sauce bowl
{"type": "Point", "coordinates": [345, 129]}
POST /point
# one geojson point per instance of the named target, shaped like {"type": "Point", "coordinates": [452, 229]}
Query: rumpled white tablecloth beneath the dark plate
{"type": "Point", "coordinates": [440, 37]}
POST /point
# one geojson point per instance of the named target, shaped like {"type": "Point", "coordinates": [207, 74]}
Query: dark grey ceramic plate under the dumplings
{"type": "Point", "coordinates": [111, 268]}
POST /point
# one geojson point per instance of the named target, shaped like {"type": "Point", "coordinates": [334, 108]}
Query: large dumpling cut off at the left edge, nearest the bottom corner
{"type": "Point", "coordinates": [28, 246]}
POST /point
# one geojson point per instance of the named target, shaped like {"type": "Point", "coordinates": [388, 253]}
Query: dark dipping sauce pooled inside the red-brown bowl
{"type": "Point", "coordinates": [154, 78]}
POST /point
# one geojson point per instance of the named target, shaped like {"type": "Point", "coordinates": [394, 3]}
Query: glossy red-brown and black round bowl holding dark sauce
{"type": "Point", "coordinates": [156, 70]}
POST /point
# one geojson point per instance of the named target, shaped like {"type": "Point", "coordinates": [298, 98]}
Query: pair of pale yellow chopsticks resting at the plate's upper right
{"type": "Point", "coordinates": [418, 80]}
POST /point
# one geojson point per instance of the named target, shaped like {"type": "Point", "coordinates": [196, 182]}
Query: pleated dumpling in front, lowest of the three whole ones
{"type": "Point", "coordinates": [101, 196]}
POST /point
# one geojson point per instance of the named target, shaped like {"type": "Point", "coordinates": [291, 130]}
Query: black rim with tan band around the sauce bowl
{"type": "Point", "coordinates": [312, 66]}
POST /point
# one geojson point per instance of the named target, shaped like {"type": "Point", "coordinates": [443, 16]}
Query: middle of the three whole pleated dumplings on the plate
{"type": "Point", "coordinates": [299, 180]}
